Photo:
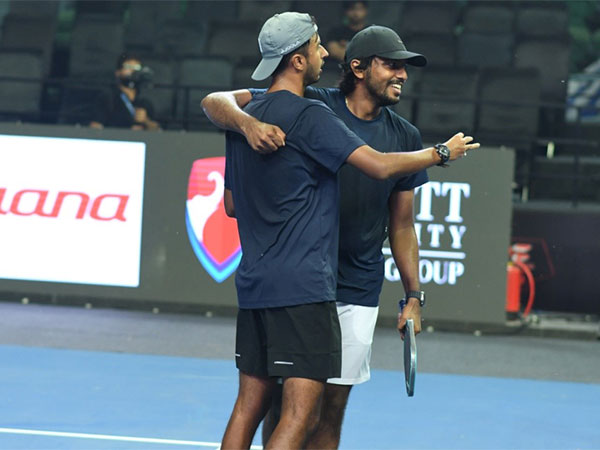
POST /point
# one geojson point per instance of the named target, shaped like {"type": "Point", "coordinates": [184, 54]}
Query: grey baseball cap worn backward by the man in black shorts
{"type": "Point", "coordinates": [280, 35]}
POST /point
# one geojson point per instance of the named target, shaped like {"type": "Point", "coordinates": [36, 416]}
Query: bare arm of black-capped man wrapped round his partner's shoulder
{"type": "Point", "coordinates": [224, 109]}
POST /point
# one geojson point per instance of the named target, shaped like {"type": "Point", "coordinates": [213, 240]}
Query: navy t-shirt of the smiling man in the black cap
{"type": "Point", "coordinates": [364, 213]}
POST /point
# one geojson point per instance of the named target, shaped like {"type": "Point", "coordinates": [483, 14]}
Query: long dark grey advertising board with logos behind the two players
{"type": "Point", "coordinates": [190, 248]}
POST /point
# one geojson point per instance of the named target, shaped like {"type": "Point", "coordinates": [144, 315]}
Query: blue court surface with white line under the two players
{"type": "Point", "coordinates": [67, 399]}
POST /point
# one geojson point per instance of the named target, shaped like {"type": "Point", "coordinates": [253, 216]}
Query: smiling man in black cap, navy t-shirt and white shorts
{"type": "Point", "coordinates": [374, 72]}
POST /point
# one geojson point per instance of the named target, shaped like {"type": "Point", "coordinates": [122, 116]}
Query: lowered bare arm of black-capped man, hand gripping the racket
{"type": "Point", "coordinates": [405, 250]}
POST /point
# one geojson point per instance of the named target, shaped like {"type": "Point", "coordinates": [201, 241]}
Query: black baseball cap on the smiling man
{"type": "Point", "coordinates": [381, 41]}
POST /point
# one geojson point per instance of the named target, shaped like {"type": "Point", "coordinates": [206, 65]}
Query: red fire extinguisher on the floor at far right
{"type": "Point", "coordinates": [518, 273]}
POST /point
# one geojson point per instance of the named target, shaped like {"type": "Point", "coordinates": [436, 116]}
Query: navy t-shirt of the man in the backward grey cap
{"type": "Point", "coordinates": [286, 203]}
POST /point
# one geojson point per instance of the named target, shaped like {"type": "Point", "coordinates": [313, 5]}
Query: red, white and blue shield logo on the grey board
{"type": "Point", "coordinates": [213, 235]}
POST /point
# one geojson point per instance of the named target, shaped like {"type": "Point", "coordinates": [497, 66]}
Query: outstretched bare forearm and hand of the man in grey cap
{"type": "Point", "coordinates": [386, 165]}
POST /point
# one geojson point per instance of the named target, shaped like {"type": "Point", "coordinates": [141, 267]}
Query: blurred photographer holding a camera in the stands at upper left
{"type": "Point", "coordinates": [121, 107]}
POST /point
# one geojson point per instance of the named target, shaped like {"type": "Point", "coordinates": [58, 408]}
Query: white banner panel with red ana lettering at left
{"type": "Point", "coordinates": [71, 210]}
